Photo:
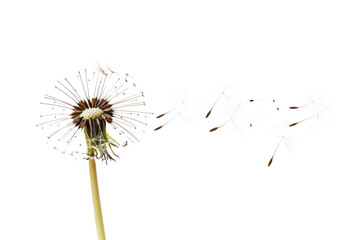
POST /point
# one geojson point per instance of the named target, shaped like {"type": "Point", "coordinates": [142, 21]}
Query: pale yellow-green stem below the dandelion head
{"type": "Point", "coordinates": [96, 199]}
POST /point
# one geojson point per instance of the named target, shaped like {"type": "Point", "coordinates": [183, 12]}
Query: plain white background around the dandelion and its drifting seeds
{"type": "Point", "coordinates": [183, 182]}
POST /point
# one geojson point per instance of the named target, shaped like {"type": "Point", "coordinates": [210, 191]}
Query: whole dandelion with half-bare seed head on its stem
{"type": "Point", "coordinates": [91, 104]}
